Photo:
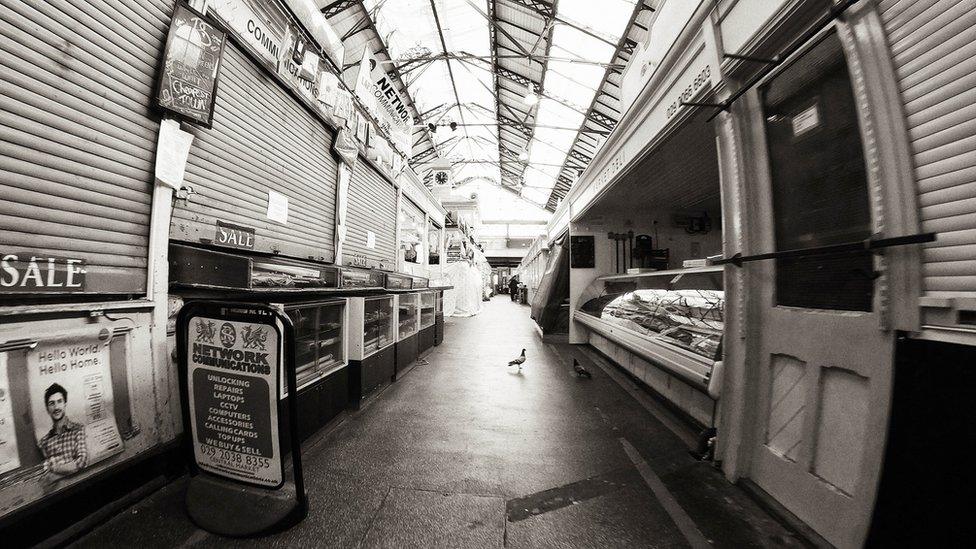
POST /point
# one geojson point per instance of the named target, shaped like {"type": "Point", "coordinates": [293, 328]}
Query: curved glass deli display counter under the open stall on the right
{"type": "Point", "coordinates": [672, 318]}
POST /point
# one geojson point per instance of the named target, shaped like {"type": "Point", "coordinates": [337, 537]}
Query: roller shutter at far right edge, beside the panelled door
{"type": "Point", "coordinates": [933, 45]}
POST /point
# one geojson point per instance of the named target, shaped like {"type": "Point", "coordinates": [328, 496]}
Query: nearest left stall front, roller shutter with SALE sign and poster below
{"type": "Point", "coordinates": [78, 135]}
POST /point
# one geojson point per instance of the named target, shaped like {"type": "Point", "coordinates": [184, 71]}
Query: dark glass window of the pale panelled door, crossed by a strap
{"type": "Point", "coordinates": [819, 182]}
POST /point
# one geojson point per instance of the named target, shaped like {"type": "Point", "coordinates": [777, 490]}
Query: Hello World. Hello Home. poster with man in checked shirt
{"type": "Point", "coordinates": [72, 405]}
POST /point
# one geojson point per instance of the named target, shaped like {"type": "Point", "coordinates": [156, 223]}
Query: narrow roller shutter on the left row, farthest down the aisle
{"type": "Point", "coordinates": [372, 208]}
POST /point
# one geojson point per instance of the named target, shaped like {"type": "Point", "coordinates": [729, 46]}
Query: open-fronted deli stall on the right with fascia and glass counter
{"type": "Point", "coordinates": [646, 214]}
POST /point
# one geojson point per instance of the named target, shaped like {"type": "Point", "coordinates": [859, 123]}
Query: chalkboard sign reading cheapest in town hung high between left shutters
{"type": "Point", "coordinates": [188, 80]}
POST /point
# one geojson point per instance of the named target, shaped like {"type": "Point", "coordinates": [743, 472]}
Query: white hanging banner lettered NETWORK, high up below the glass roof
{"type": "Point", "coordinates": [376, 90]}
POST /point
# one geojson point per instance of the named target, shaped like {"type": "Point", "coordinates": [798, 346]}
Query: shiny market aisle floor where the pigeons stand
{"type": "Point", "coordinates": [465, 452]}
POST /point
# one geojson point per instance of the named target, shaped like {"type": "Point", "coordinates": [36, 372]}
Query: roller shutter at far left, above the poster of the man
{"type": "Point", "coordinates": [77, 138]}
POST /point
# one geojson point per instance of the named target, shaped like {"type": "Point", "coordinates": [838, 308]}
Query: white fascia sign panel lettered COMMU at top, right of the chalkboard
{"type": "Point", "coordinates": [260, 25]}
